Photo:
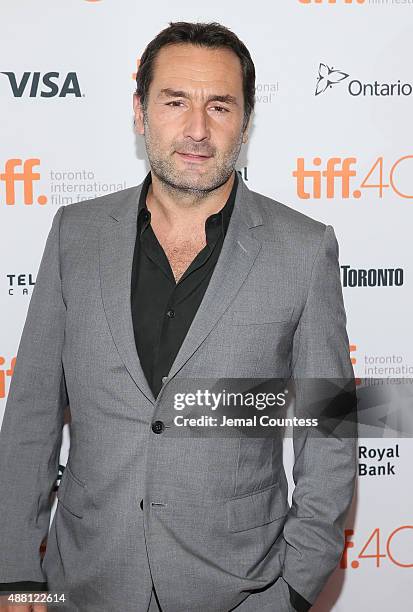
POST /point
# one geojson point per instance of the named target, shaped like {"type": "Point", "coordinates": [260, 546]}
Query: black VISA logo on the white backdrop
{"type": "Point", "coordinates": [44, 85]}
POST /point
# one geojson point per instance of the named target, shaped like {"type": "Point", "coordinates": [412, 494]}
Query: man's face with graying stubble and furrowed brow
{"type": "Point", "coordinates": [194, 117]}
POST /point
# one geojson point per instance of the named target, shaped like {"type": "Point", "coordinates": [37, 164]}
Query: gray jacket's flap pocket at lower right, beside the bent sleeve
{"type": "Point", "coordinates": [256, 509]}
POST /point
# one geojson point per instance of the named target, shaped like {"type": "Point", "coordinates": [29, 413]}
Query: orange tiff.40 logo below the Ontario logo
{"type": "Point", "coordinates": [336, 177]}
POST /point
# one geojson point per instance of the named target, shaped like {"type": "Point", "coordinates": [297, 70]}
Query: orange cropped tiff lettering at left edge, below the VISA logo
{"type": "Point", "coordinates": [19, 171]}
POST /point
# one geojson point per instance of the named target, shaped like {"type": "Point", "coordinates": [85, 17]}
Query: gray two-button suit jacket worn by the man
{"type": "Point", "coordinates": [216, 526]}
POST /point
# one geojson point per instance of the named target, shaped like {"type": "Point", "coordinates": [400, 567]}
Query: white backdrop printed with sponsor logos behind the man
{"type": "Point", "coordinates": [332, 137]}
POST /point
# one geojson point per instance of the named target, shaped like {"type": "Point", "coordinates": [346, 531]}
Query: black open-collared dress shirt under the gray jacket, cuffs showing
{"type": "Point", "coordinates": [163, 309]}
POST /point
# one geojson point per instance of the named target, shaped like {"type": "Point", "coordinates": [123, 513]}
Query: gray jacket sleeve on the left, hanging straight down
{"type": "Point", "coordinates": [31, 432]}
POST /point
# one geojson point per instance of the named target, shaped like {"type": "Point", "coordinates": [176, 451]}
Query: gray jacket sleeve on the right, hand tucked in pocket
{"type": "Point", "coordinates": [324, 467]}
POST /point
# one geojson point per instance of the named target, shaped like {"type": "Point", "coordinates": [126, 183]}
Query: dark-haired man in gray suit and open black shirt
{"type": "Point", "coordinates": [189, 275]}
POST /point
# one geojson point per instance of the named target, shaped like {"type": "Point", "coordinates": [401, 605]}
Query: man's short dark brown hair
{"type": "Point", "coordinates": [212, 35]}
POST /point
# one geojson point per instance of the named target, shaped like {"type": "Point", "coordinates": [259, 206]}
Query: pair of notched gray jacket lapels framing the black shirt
{"type": "Point", "coordinates": [116, 247]}
